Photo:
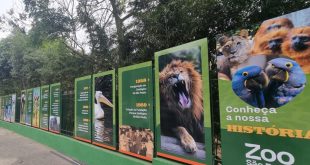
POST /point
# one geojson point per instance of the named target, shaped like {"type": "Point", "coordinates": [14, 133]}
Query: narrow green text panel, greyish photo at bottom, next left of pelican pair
{"type": "Point", "coordinates": [55, 108]}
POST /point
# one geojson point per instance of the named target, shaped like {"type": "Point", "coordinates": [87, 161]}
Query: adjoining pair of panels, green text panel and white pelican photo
{"type": "Point", "coordinates": [95, 114]}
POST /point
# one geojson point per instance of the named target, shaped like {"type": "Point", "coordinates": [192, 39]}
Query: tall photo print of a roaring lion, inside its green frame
{"type": "Point", "coordinates": [181, 103]}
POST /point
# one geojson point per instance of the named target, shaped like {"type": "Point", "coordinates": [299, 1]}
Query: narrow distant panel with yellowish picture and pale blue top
{"type": "Point", "coordinates": [36, 107]}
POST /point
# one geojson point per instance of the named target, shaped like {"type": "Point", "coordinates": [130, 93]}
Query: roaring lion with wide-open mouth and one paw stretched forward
{"type": "Point", "coordinates": [181, 105]}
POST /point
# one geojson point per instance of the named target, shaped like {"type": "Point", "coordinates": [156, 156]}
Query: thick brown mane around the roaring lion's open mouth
{"type": "Point", "coordinates": [172, 115]}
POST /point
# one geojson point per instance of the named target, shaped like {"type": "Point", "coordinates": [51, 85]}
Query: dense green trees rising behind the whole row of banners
{"type": "Point", "coordinates": [116, 33]}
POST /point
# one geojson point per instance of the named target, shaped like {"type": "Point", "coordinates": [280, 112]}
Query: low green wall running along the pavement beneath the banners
{"type": "Point", "coordinates": [83, 152]}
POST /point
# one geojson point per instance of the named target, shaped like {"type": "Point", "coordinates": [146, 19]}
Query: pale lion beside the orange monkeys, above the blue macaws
{"type": "Point", "coordinates": [236, 51]}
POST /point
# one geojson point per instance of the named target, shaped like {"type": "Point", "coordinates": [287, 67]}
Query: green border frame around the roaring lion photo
{"type": "Point", "coordinates": [203, 43]}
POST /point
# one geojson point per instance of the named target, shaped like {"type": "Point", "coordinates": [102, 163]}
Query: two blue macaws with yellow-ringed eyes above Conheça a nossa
{"type": "Point", "coordinates": [272, 87]}
